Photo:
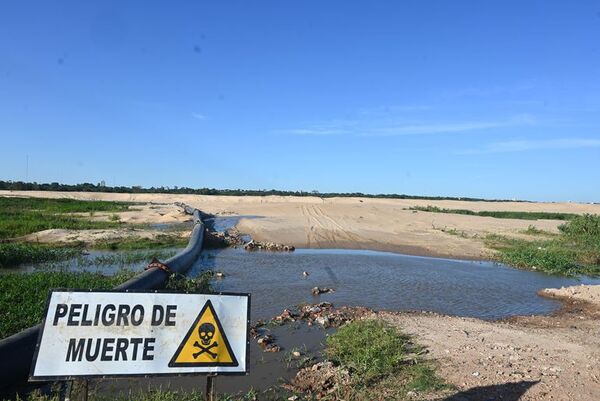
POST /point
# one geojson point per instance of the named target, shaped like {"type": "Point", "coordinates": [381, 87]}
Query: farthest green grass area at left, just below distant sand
{"type": "Point", "coordinates": [22, 216]}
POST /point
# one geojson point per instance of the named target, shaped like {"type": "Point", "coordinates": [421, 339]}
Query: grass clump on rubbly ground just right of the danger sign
{"type": "Point", "coordinates": [383, 363]}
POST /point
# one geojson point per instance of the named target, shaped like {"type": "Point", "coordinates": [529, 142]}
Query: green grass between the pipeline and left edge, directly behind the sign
{"type": "Point", "coordinates": [23, 296]}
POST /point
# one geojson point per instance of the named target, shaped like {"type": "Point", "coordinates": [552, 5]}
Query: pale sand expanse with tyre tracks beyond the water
{"type": "Point", "coordinates": [381, 224]}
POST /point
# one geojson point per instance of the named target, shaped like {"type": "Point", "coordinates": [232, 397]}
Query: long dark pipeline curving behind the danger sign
{"type": "Point", "coordinates": [16, 351]}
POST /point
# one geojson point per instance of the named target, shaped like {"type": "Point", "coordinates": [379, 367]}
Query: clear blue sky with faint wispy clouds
{"type": "Point", "coordinates": [494, 99]}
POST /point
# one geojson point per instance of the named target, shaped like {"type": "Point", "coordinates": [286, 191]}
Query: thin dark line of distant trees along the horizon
{"type": "Point", "coordinates": [88, 187]}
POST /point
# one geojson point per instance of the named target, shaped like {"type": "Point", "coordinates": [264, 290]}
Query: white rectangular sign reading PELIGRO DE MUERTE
{"type": "Point", "coordinates": [141, 333]}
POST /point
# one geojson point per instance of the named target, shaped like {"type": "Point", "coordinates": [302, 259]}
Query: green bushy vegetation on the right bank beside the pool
{"type": "Point", "coordinates": [574, 251]}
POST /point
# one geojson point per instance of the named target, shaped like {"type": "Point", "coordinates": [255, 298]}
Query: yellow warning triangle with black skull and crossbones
{"type": "Point", "coordinates": [205, 343]}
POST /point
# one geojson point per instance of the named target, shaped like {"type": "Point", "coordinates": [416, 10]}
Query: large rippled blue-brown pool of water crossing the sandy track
{"type": "Point", "coordinates": [381, 280]}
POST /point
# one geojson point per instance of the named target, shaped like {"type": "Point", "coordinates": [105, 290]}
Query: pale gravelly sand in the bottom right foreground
{"type": "Point", "coordinates": [527, 358]}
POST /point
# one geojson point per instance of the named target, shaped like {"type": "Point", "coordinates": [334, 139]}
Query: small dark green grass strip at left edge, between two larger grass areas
{"type": "Point", "coordinates": [14, 254]}
